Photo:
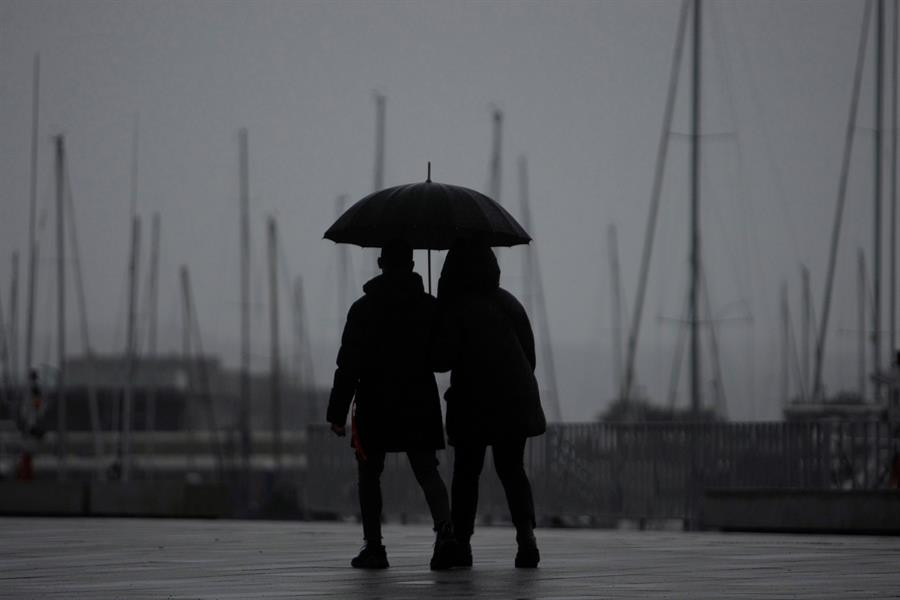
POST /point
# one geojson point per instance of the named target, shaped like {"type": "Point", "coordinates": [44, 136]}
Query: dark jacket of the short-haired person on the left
{"type": "Point", "coordinates": [383, 362]}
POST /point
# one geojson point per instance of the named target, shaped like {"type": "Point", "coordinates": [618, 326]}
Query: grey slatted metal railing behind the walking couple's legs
{"type": "Point", "coordinates": [601, 471]}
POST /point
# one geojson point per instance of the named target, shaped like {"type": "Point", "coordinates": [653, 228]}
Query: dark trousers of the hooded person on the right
{"type": "Point", "coordinates": [508, 462]}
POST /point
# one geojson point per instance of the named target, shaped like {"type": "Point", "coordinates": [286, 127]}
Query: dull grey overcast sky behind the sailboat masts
{"type": "Point", "coordinates": [582, 86]}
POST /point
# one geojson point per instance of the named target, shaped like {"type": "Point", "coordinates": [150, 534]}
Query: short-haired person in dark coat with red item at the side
{"type": "Point", "coordinates": [383, 362]}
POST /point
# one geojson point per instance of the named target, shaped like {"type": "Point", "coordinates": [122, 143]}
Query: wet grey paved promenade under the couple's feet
{"type": "Point", "coordinates": [142, 558]}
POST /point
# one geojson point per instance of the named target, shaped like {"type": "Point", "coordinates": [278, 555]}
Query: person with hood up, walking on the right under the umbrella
{"type": "Point", "coordinates": [485, 339]}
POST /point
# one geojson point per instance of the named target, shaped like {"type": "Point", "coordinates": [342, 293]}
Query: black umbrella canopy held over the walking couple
{"type": "Point", "coordinates": [427, 215]}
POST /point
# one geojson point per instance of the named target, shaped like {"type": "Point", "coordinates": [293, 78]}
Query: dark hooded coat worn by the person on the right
{"type": "Point", "coordinates": [485, 340]}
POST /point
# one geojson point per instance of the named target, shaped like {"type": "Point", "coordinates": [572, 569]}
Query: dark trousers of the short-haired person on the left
{"type": "Point", "coordinates": [424, 464]}
